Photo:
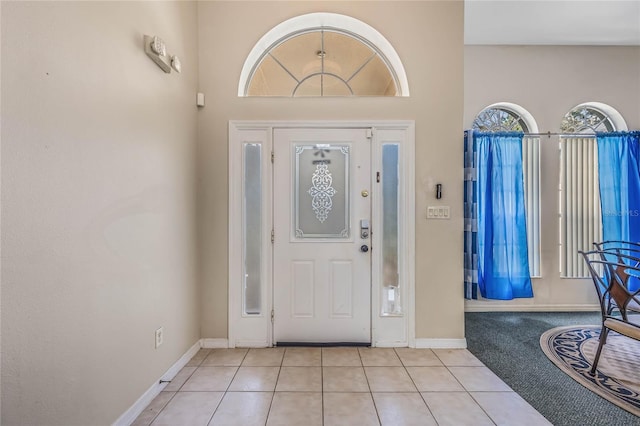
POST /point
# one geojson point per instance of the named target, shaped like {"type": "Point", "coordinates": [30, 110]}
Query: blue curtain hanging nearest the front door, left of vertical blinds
{"type": "Point", "coordinates": [502, 256]}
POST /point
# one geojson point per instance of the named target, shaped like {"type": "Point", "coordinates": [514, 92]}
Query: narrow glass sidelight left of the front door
{"type": "Point", "coordinates": [252, 238]}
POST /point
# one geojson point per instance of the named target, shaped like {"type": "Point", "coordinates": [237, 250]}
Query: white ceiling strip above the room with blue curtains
{"type": "Point", "coordinates": [552, 22]}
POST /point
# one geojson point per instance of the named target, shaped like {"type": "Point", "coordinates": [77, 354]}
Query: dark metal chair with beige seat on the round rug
{"type": "Point", "coordinates": [610, 278]}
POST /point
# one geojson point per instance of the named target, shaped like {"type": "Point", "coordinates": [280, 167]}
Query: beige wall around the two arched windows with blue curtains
{"type": "Point", "coordinates": [548, 81]}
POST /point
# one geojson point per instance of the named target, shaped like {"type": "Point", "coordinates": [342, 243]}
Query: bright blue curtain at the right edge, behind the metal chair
{"type": "Point", "coordinates": [619, 179]}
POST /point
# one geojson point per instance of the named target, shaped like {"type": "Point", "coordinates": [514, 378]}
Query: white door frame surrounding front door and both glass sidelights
{"type": "Point", "coordinates": [256, 330]}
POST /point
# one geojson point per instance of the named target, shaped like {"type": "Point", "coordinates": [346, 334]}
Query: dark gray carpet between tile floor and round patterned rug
{"type": "Point", "coordinates": [509, 344]}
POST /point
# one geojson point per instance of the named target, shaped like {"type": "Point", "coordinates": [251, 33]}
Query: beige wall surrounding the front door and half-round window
{"type": "Point", "coordinates": [428, 37]}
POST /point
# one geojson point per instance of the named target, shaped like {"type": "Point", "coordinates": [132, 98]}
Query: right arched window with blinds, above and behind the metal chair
{"type": "Point", "coordinates": [580, 214]}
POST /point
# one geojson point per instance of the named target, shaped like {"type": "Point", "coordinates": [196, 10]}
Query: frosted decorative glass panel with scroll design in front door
{"type": "Point", "coordinates": [321, 179]}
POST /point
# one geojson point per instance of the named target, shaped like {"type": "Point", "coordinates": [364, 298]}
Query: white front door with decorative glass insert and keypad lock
{"type": "Point", "coordinates": [322, 240]}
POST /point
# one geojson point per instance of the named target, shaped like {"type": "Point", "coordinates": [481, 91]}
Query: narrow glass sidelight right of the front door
{"type": "Point", "coordinates": [391, 304]}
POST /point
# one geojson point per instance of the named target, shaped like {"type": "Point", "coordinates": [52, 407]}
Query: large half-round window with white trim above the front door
{"type": "Point", "coordinates": [323, 54]}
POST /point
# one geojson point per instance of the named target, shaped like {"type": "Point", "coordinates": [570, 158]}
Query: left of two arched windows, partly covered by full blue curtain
{"type": "Point", "coordinates": [508, 117]}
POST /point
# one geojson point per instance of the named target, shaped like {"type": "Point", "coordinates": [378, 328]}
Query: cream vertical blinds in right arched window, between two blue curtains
{"type": "Point", "coordinates": [580, 213]}
